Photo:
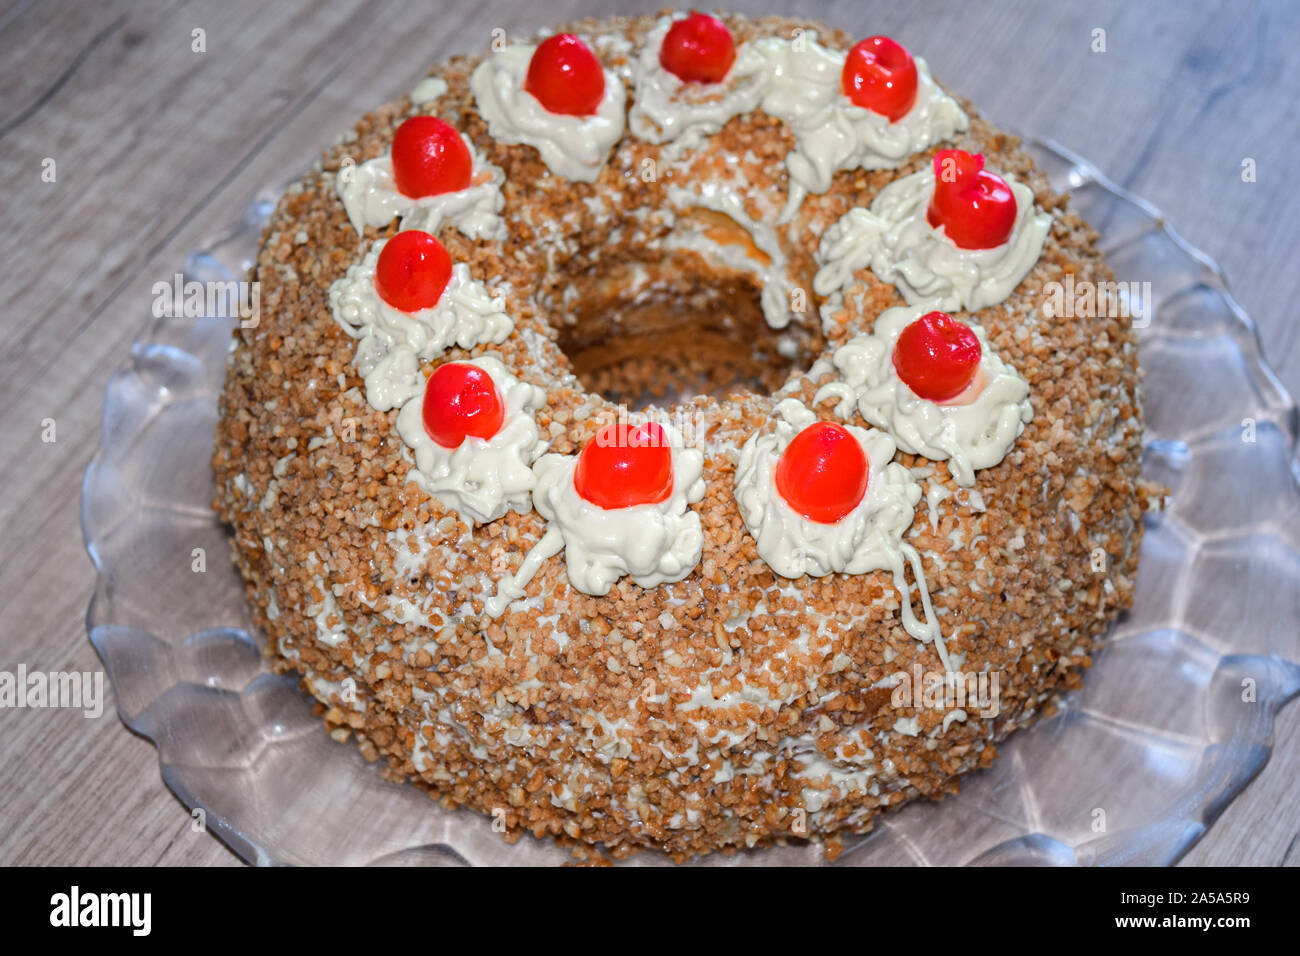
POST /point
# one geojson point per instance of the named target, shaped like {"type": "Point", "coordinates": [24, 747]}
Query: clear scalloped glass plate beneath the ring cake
{"type": "Point", "coordinates": [1173, 720]}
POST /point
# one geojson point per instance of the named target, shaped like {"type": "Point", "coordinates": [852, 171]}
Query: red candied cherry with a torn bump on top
{"type": "Point", "coordinates": [976, 207]}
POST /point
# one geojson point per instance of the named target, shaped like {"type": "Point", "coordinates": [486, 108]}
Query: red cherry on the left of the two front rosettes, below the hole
{"type": "Point", "coordinates": [625, 466]}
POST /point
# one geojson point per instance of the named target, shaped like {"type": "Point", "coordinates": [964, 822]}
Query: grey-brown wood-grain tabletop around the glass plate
{"type": "Point", "coordinates": [157, 148]}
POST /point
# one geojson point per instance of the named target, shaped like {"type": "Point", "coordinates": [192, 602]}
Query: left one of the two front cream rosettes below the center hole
{"type": "Point", "coordinates": [655, 544]}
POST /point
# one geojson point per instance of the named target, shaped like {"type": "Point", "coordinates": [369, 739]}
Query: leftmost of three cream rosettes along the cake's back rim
{"type": "Point", "coordinates": [575, 148]}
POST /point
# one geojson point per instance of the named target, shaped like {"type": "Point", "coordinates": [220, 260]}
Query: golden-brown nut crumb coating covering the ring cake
{"type": "Point", "coordinates": [574, 715]}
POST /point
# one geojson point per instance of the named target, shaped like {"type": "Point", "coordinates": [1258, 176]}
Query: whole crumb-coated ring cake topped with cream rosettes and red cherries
{"type": "Point", "coordinates": [638, 412]}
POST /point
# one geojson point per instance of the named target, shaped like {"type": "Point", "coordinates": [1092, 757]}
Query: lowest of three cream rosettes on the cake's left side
{"type": "Point", "coordinates": [483, 478]}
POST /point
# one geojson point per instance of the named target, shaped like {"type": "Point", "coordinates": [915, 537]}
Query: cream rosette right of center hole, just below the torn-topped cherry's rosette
{"type": "Point", "coordinates": [972, 436]}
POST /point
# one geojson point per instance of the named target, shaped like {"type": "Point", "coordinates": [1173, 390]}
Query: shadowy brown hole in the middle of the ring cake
{"type": "Point", "coordinates": [647, 334]}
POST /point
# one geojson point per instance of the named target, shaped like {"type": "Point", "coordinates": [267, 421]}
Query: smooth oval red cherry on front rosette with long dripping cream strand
{"type": "Point", "coordinates": [824, 473]}
